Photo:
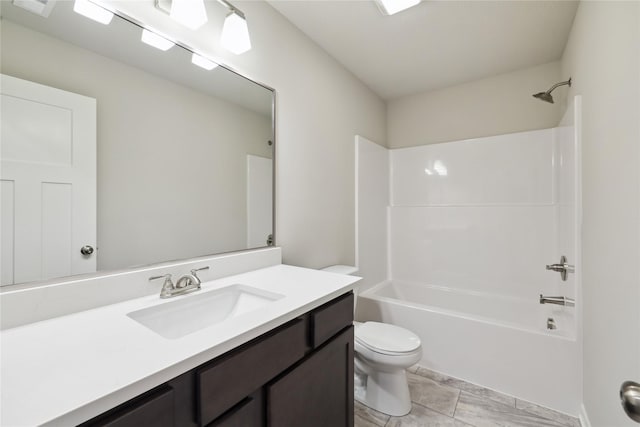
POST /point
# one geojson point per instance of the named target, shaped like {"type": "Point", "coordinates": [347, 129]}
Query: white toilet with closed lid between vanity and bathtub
{"type": "Point", "coordinates": [383, 352]}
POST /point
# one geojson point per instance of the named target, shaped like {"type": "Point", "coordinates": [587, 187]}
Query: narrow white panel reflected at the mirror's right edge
{"type": "Point", "coordinates": [259, 200]}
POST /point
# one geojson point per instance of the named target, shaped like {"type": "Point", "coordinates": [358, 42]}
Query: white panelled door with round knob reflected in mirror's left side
{"type": "Point", "coordinates": [48, 210]}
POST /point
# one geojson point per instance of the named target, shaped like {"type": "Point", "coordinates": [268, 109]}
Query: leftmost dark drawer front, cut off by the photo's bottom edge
{"type": "Point", "coordinates": [151, 409]}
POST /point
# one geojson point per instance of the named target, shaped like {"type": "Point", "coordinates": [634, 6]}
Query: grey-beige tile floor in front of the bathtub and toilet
{"type": "Point", "coordinates": [441, 401]}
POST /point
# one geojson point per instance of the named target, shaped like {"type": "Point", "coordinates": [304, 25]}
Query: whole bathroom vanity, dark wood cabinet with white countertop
{"type": "Point", "coordinates": [288, 362]}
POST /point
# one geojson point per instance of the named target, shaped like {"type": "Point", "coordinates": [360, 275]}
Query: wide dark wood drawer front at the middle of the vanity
{"type": "Point", "coordinates": [225, 382]}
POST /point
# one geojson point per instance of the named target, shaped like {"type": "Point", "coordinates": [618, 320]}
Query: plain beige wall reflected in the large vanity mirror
{"type": "Point", "coordinates": [171, 159]}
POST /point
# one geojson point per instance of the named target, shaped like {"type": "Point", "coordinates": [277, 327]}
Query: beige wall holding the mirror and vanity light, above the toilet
{"type": "Point", "coordinates": [319, 108]}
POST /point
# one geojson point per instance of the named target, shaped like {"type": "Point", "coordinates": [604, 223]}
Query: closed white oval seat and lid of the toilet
{"type": "Point", "coordinates": [386, 339]}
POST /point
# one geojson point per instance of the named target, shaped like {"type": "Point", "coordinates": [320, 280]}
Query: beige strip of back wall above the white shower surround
{"type": "Point", "coordinates": [493, 106]}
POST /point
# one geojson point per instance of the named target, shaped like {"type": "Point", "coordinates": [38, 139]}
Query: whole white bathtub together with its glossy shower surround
{"type": "Point", "coordinates": [471, 226]}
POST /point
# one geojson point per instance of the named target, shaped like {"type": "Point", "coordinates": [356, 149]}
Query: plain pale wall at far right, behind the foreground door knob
{"type": "Point", "coordinates": [603, 57]}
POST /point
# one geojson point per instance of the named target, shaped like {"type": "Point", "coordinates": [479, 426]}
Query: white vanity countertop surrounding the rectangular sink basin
{"type": "Point", "coordinates": [66, 370]}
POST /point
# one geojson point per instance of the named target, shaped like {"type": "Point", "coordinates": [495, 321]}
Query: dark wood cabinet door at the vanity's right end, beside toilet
{"type": "Point", "coordinates": [319, 391]}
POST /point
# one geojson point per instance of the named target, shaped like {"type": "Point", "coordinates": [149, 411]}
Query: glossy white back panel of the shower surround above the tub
{"type": "Point", "coordinates": [482, 216]}
